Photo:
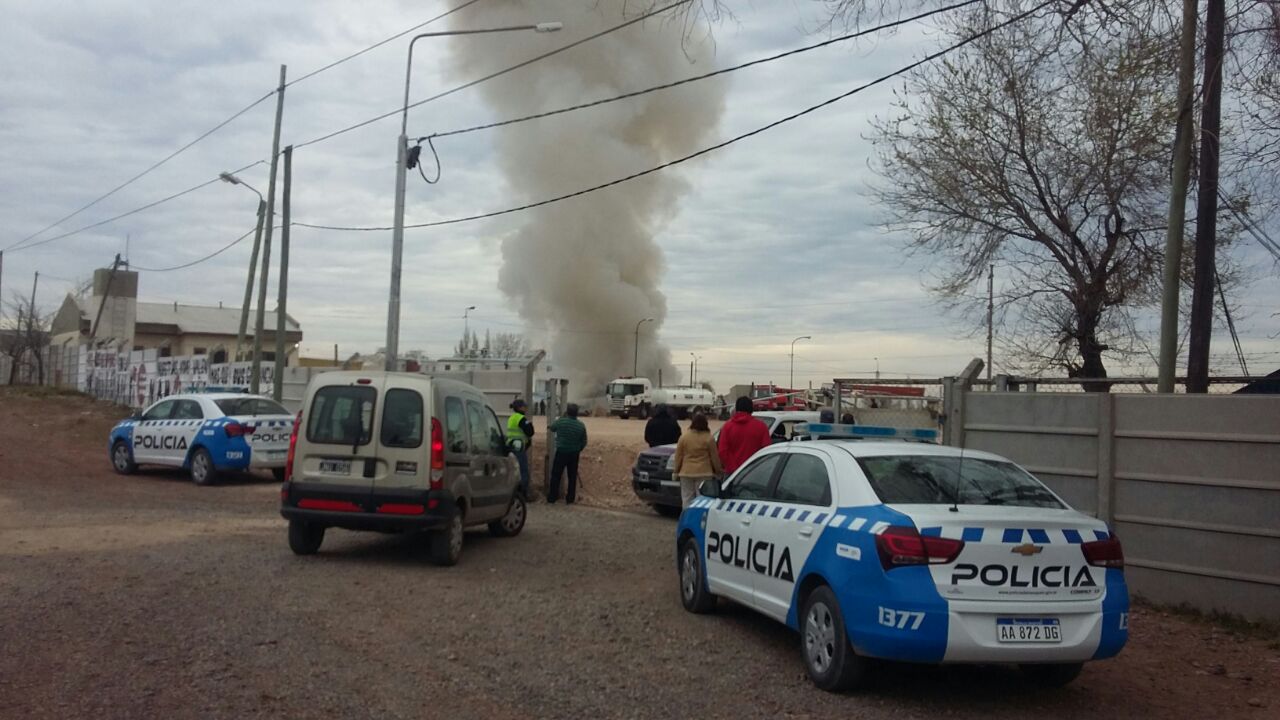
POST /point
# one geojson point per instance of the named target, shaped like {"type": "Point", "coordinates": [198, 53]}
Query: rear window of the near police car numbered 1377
{"type": "Point", "coordinates": [927, 480]}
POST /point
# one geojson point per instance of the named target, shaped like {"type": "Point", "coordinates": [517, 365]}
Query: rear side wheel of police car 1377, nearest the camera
{"type": "Point", "coordinates": [829, 657]}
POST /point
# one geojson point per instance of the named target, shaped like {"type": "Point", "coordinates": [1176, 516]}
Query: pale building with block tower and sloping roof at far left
{"type": "Point", "coordinates": [113, 316]}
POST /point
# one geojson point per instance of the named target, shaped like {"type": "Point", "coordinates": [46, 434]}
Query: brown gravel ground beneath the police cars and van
{"type": "Point", "coordinates": [148, 596]}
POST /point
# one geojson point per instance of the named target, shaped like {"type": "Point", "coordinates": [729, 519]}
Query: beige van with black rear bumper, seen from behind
{"type": "Point", "coordinates": [399, 453]}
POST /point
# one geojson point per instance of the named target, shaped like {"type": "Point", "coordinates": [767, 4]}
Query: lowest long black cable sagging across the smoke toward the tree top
{"type": "Point", "coordinates": [712, 148]}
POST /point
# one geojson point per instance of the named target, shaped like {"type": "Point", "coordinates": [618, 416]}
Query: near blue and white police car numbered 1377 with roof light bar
{"type": "Point", "coordinates": [908, 552]}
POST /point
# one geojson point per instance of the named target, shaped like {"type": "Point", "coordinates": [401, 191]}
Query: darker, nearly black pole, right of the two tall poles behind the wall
{"type": "Point", "coordinates": [1206, 202]}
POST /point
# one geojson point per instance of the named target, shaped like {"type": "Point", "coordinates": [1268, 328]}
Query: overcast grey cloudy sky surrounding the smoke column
{"type": "Point", "coordinates": [771, 239]}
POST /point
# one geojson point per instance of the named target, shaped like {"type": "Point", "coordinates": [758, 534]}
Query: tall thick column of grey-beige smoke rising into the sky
{"type": "Point", "coordinates": [588, 268]}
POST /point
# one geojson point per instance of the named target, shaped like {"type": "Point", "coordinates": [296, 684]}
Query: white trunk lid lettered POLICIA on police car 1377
{"type": "Point", "coordinates": [1013, 554]}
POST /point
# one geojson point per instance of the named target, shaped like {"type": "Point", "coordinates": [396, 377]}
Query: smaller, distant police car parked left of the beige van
{"type": "Point", "coordinates": [205, 435]}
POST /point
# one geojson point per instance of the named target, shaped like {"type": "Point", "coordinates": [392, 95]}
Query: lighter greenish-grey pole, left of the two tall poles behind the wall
{"type": "Point", "coordinates": [1180, 183]}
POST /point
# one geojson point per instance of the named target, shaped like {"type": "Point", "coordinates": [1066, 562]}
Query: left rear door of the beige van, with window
{"type": "Point", "coordinates": [341, 454]}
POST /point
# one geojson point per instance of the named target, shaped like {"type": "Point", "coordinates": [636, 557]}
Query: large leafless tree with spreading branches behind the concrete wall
{"type": "Point", "coordinates": [1049, 161]}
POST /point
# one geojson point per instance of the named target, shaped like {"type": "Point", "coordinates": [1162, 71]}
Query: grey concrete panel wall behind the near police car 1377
{"type": "Point", "coordinates": [1190, 482]}
